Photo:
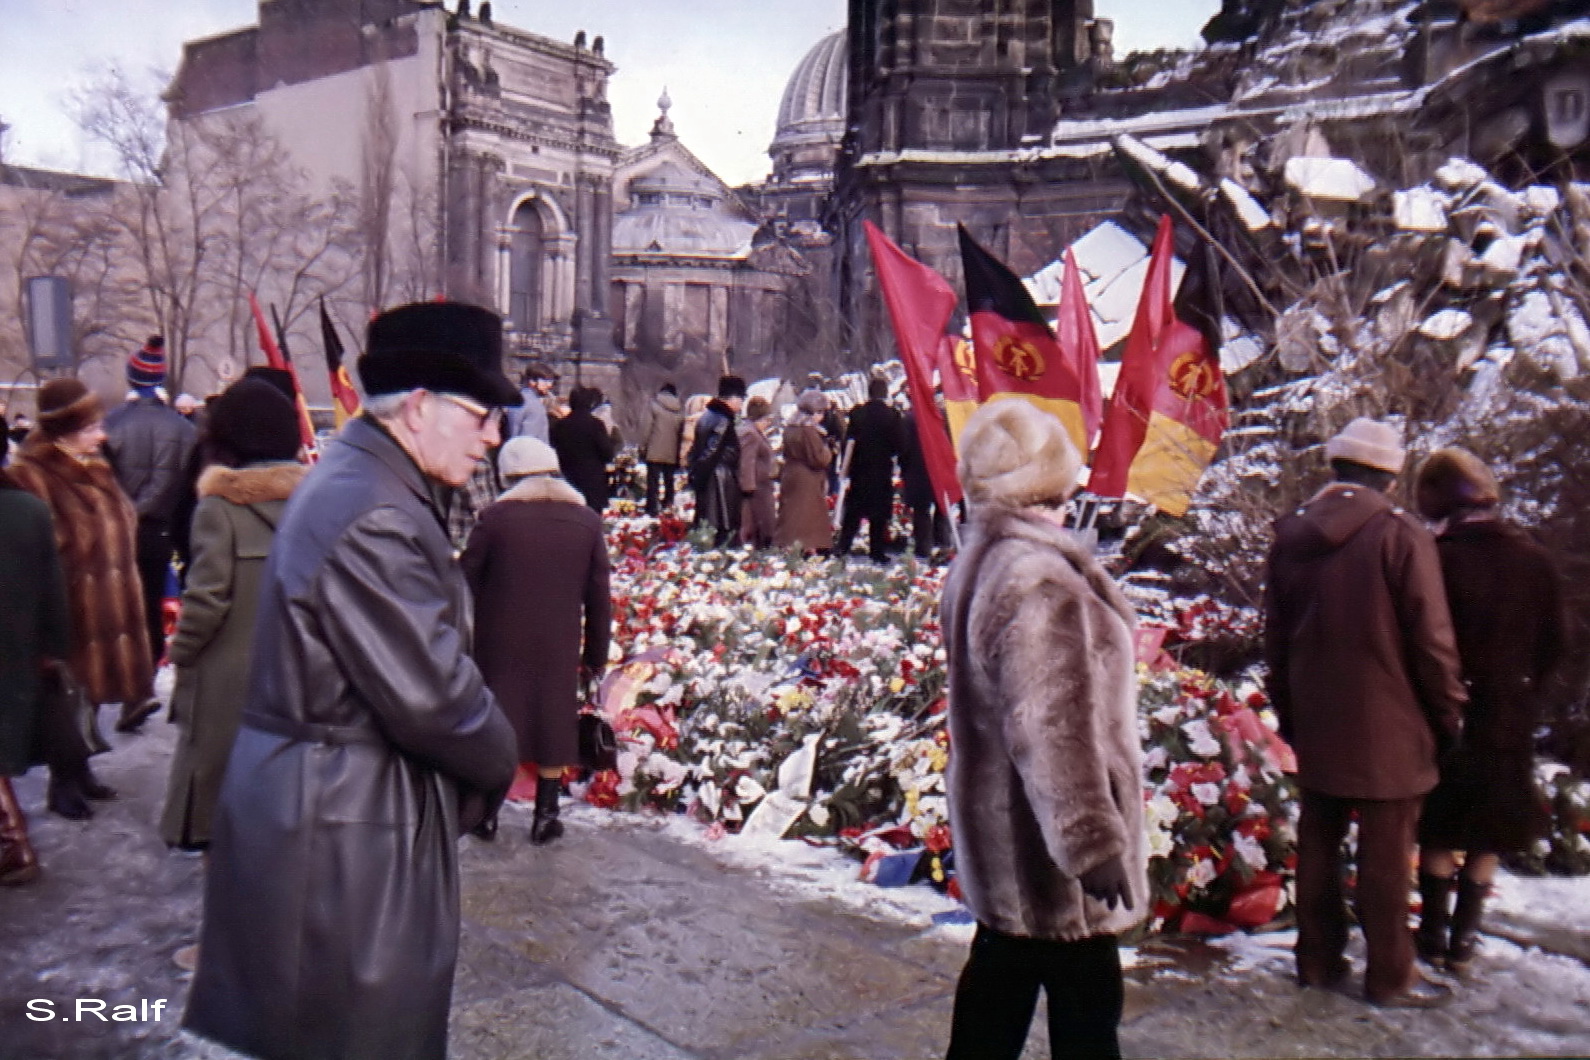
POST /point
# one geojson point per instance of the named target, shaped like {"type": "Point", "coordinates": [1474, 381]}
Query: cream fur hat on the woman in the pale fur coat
{"type": "Point", "coordinates": [1015, 455]}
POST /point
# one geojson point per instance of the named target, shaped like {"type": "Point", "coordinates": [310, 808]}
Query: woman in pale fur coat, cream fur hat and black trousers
{"type": "Point", "coordinates": [1045, 778]}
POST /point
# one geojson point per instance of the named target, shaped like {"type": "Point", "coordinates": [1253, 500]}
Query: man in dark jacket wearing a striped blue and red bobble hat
{"type": "Point", "coordinates": [150, 444]}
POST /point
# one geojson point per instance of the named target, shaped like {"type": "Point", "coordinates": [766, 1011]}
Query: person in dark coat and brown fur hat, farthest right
{"type": "Point", "coordinates": [1507, 608]}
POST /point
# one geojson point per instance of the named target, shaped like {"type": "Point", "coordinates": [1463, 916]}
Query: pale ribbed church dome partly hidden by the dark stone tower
{"type": "Point", "coordinates": [812, 114]}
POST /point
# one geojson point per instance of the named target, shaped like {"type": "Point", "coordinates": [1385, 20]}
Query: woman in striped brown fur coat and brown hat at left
{"type": "Point", "coordinates": [96, 535]}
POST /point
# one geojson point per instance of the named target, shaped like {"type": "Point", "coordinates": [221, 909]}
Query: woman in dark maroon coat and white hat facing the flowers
{"type": "Point", "coordinates": [538, 570]}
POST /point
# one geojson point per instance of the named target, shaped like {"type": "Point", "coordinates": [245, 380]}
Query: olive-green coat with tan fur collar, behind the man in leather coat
{"type": "Point", "coordinates": [233, 528]}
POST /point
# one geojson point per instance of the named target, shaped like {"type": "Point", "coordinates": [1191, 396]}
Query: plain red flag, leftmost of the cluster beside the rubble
{"type": "Point", "coordinates": [920, 304]}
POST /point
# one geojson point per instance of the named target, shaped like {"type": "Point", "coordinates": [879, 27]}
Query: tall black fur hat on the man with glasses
{"type": "Point", "coordinates": [444, 347]}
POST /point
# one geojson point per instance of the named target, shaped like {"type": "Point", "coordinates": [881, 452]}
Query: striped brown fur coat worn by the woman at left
{"type": "Point", "coordinates": [96, 536]}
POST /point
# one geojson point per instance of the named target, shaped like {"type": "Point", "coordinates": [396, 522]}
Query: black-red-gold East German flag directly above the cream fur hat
{"type": "Point", "coordinates": [1017, 354]}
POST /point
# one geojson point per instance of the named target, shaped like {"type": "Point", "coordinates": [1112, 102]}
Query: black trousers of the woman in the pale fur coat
{"type": "Point", "coordinates": [999, 992]}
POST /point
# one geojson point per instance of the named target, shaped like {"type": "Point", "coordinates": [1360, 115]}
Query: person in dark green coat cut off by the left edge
{"type": "Point", "coordinates": [33, 632]}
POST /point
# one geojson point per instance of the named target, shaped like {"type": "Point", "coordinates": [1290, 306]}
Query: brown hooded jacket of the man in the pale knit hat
{"type": "Point", "coordinates": [1363, 668]}
